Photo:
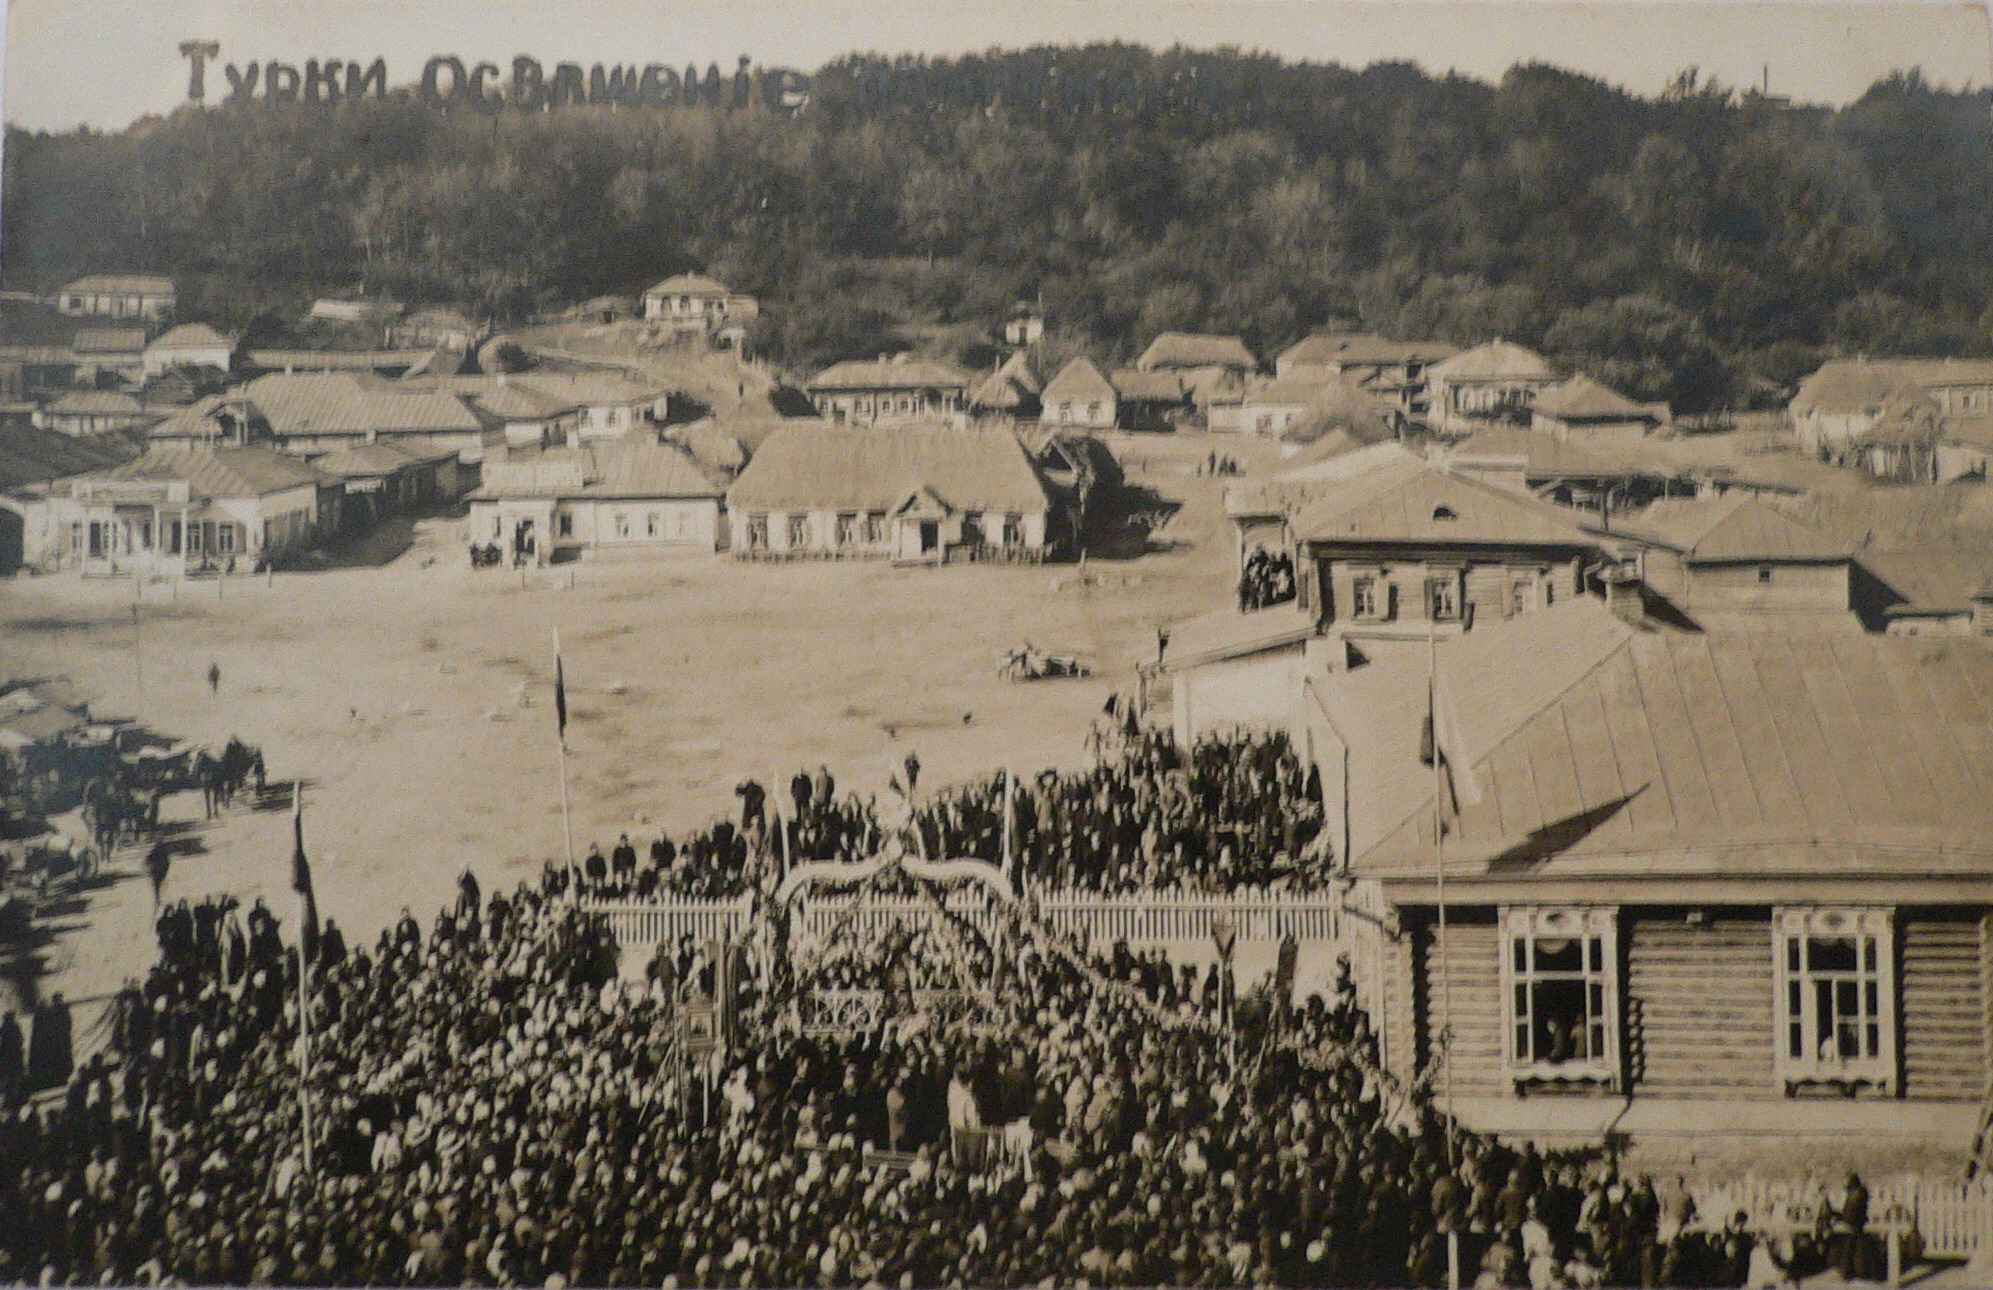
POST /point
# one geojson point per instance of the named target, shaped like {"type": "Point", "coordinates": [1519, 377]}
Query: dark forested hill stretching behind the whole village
{"type": "Point", "coordinates": [1695, 246]}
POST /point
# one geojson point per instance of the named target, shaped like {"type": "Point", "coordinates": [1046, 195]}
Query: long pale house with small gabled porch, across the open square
{"type": "Point", "coordinates": [912, 493]}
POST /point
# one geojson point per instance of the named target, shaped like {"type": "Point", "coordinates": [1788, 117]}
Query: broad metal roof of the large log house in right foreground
{"type": "Point", "coordinates": [1635, 757]}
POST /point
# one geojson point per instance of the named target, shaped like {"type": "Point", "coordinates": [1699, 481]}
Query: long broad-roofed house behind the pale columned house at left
{"type": "Point", "coordinates": [326, 412]}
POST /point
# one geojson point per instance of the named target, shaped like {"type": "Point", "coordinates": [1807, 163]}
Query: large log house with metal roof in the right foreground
{"type": "Point", "coordinates": [1695, 888]}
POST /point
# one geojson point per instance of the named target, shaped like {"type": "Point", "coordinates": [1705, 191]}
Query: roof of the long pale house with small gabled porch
{"type": "Point", "coordinates": [836, 468]}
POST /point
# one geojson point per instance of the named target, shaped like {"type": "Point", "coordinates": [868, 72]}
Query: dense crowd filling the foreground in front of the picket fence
{"type": "Point", "coordinates": [491, 1104]}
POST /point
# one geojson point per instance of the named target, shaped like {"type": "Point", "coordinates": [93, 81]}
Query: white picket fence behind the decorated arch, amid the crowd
{"type": "Point", "coordinates": [1101, 920]}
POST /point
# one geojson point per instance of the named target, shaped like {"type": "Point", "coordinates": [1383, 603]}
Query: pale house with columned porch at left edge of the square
{"type": "Point", "coordinates": [176, 511]}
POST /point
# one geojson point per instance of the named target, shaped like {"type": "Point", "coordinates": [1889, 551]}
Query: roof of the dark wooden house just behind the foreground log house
{"type": "Point", "coordinates": [1418, 501]}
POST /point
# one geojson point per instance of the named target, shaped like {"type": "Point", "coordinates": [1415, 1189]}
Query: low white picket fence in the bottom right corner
{"type": "Point", "coordinates": [1952, 1219]}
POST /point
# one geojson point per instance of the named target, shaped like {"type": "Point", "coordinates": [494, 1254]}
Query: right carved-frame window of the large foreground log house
{"type": "Point", "coordinates": [1837, 996]}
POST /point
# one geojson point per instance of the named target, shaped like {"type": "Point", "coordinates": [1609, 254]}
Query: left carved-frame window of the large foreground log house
{"type": "Point", "coordinates": [1560, 970]}
